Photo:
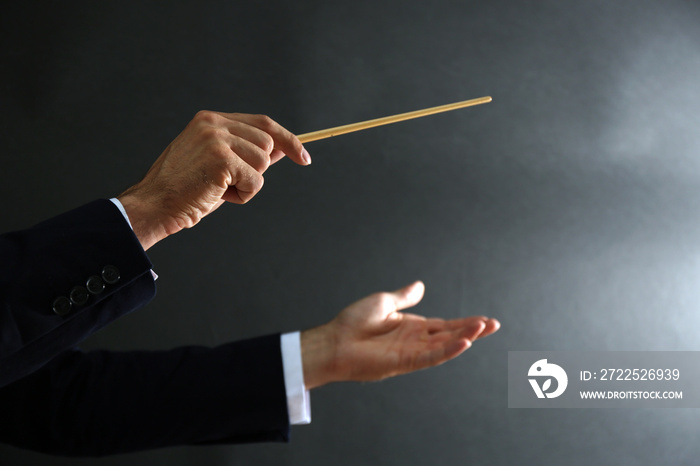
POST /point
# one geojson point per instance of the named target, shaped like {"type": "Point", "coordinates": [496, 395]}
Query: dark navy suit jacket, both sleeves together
{"type": "Point", "coordinates": [57, 399]}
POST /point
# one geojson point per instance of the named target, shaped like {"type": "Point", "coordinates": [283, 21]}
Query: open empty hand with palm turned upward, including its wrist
{"type": "Point", "coordinates": [371, 339]}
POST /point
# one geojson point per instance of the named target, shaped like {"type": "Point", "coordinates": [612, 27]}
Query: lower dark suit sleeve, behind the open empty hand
{"type": "Point", "coordinates": [101, 402]}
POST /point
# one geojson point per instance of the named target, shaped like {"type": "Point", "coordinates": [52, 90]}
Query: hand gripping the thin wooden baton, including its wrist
{"type": "Point", "coordinates": [218, 157]}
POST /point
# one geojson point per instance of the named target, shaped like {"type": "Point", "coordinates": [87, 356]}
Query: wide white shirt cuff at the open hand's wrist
{"type": "Point", "coordinates": [298, 400]}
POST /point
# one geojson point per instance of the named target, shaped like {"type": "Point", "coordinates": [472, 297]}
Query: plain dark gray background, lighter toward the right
{"type": "Point", "coordinates": [567, 208]}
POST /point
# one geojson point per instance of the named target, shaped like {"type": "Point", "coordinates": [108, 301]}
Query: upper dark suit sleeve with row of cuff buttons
{"type": "Point", "coordinates": [46, 305]}
